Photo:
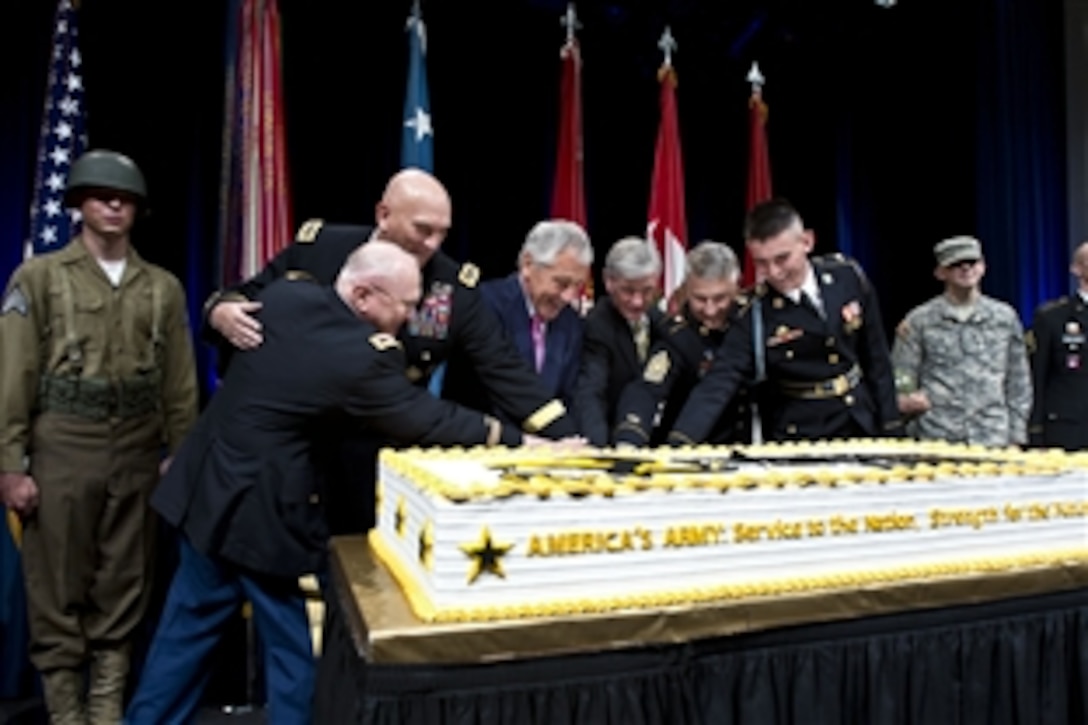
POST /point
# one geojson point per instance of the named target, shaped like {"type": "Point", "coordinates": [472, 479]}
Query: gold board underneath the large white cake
{"type": "Point", "coordinates": [387, 632]}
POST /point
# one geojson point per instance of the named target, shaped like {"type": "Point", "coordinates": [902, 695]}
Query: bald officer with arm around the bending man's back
{"type": "Point", "coordinates": [452, 321]}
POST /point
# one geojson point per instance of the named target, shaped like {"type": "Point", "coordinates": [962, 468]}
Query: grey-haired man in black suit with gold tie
{"type": "Point", "coordinates": [619, 335]}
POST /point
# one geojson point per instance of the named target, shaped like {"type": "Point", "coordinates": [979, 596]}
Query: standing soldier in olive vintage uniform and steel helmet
{"type": "Point", "coordinates": [97, 377]}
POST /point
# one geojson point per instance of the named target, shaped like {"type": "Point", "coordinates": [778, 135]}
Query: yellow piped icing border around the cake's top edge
{"type": "Point", "coordinates": [963, 462]}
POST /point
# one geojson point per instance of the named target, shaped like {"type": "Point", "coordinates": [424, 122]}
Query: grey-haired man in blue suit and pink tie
{"type": "Point", "coordinates": [534, 305]}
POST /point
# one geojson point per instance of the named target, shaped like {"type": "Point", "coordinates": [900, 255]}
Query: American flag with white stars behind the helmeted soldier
{"type": "Point", "coordinates": [64, 137]}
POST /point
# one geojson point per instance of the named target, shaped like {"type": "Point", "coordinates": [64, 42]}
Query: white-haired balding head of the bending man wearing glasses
{"type": "Point", "coordinates": [380, 282]}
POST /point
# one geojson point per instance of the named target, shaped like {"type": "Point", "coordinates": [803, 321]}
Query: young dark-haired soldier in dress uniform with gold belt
{"type": "Point", "coordinates": [814, 328]}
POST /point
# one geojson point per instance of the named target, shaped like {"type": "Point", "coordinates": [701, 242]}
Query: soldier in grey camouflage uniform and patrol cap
{"type": "Point", "coordinates": [961, 363]}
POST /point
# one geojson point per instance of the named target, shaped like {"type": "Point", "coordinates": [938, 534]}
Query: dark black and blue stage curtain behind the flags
{"type": "Point", "coordinates": [891, 129]}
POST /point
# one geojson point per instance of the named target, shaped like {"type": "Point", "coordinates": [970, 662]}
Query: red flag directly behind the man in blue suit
{"type": "Point", "coordinates": [568, 193]}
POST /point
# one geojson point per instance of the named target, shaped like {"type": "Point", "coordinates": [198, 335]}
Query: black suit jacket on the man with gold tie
{"type": "Point", "coordinates": [610, 362]}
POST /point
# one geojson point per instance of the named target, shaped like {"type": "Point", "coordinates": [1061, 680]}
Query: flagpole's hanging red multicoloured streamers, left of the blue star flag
{"type": "Point", "coordinates": [256, 200]}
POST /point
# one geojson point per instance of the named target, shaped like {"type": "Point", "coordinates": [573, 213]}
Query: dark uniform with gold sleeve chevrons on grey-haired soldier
{"type": "Point", "coordinates": [675, 366]}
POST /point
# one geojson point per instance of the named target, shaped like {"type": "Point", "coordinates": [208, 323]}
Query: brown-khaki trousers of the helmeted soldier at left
{"type": "Point", "coordinates": [88, 551]}
